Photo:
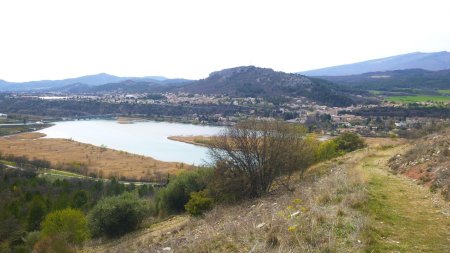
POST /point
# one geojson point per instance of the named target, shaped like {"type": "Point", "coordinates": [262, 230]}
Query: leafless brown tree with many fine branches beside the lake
{"type": "Point", "coordinates": [257, 152]}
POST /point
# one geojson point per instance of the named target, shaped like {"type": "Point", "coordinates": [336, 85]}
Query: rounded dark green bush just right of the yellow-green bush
{"type": "Point", "coordinates": [115, 216]}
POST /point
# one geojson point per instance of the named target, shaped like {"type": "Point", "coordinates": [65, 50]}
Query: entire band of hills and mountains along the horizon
{"type": "Point", "coordinates": [423, 71]}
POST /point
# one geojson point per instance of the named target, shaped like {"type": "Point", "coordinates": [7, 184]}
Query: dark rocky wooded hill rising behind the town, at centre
{"type": "Point", "coordinates": [250, 81]}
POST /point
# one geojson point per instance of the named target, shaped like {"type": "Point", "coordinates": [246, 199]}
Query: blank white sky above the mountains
{"type": "Point", "coordinates": [55, 39]}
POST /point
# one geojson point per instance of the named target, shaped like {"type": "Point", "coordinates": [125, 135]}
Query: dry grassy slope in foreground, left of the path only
{"type": "Point", "coordinates": [321, 215]}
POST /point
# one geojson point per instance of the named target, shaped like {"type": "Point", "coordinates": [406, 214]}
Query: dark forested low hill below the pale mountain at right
{"type": "Point", "coordinates": [389, 80]}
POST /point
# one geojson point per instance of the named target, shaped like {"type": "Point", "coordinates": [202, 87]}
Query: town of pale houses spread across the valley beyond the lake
{"type": "Point", "coordinates": [318, 118]}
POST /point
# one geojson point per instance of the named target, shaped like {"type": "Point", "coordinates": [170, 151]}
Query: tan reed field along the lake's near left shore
{"type": "Point", "coordinates": [88, 159]}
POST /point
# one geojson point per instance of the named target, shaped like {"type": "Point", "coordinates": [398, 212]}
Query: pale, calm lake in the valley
{"type": "Point", "coordinates": [147, 138]}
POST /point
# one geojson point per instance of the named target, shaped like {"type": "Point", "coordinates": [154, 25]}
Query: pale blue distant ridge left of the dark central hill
{"type": "Point", "coordinates": [89, 80]}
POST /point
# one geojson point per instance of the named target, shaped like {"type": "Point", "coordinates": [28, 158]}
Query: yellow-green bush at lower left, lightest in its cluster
{"type": "Point", "coordinates": [69, 223]}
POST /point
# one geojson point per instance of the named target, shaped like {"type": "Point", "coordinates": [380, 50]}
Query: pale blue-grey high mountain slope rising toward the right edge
{"type": "Point", "coordinates": [427, 61]}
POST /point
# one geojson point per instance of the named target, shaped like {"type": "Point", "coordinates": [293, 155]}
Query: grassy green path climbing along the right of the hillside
{"type": "Point", "coordinates": [406, 217]}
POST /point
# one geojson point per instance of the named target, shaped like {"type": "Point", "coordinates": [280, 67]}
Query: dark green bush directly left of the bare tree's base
{"type": "Point", "coordinates": [174, 197]}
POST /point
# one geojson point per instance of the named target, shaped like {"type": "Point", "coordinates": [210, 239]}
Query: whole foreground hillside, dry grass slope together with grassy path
{"type": "Point", "coordinates": [351, 204]}
